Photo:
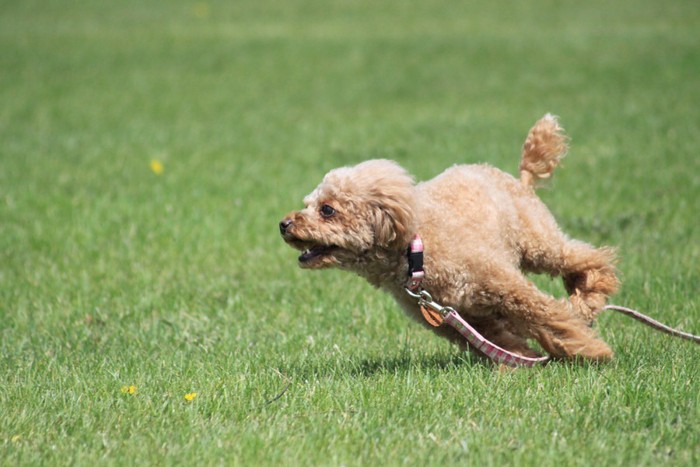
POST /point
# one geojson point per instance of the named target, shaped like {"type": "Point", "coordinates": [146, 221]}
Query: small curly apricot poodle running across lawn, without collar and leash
{"type": "Point", "coordinates": [482, 230]}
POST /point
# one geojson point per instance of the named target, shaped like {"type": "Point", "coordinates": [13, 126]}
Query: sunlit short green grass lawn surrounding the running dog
{"type": "Point", "coordinates": [177, 283]}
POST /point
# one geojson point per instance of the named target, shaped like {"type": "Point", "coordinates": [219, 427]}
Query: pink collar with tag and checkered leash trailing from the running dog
{"type": "Point", "coordinates": [479, 342]}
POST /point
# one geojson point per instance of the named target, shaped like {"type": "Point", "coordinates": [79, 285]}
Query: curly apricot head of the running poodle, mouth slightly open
{"type": "Point", "coordinates": [354, 212]}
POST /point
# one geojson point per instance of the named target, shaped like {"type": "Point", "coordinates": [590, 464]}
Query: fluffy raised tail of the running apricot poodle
{"type": "Point", "coordinates": [545, 146]}
